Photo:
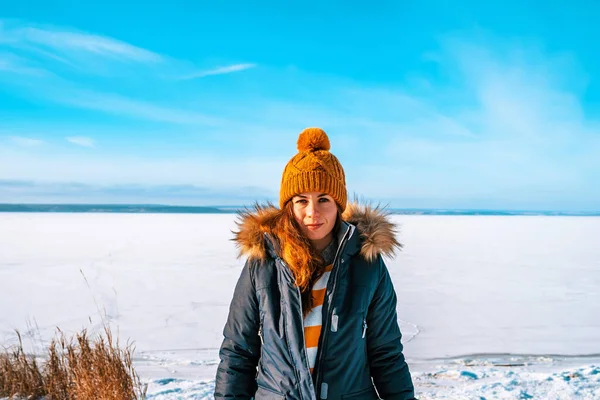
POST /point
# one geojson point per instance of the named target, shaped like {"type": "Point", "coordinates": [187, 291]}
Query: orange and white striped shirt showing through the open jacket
{"type": "Point", "coordinates": [314, 319]}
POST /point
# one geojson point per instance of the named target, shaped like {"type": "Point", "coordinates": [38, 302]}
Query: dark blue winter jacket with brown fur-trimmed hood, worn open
{"type": "Point", "coordinates": [360, 355]}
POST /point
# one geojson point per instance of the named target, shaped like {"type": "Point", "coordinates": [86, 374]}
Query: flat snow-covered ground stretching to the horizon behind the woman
{"type": "Point", "coordinates": [490, 307]}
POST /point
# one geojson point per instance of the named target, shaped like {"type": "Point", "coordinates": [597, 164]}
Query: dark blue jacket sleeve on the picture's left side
{"type": "Point", "coordinates": [240, 350]}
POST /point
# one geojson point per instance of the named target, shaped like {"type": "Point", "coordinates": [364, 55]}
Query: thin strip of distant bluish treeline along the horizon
{"type": "Point", "coordinates": [165, 209]}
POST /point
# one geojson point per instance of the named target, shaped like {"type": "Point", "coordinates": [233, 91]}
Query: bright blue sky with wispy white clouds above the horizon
{"type": "Point", "coordinates": [427, 104]}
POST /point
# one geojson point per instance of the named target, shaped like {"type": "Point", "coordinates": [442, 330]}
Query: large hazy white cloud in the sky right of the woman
{"type": "Point", "coordinates": [530, 136]}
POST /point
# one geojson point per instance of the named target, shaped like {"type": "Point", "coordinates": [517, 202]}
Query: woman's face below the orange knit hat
{"type": "Point", "coordinates": [316, 213]}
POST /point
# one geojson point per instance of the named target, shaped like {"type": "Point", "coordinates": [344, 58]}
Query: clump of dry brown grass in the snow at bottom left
{"type": "Point", "coordinates": [79, 368]}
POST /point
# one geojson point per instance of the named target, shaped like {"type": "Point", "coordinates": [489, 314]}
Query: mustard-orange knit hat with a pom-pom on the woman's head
{"type": "Point", "coordinates": [313, 169]}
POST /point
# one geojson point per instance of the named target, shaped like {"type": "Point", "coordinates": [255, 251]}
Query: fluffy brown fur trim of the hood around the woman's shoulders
{"type": "Point", "coordinates": [377, 232]}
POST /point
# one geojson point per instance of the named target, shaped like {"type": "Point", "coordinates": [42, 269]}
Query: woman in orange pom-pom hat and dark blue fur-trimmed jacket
{"type": "Point", "coordinates": [313, 314]}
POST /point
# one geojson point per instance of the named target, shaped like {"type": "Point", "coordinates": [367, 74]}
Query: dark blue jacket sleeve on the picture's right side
{"type": "Point", "coordinates": [389, 370]}
